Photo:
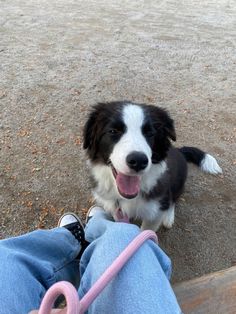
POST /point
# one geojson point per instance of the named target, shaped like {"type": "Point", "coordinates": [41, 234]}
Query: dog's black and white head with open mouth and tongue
{"type": "Point", "coordinates": [129, 138]}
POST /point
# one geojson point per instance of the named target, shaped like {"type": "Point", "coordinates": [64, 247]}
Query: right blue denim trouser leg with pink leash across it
{"type": "Point", "coordinates": [142, 286]}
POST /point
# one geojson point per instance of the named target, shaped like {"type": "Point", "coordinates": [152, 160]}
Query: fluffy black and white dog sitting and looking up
{"type": "Point", "coordinates": [133, 163]}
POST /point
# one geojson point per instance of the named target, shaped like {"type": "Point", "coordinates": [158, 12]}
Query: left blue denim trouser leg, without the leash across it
{"type": "Point", "coordinates": [31, 263]}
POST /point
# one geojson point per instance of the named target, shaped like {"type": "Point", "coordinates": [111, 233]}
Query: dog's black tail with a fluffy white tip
{"type": "Point", "coordinates": [204, 161]}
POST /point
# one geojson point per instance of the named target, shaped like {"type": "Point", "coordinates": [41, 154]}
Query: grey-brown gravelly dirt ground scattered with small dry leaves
{"type": "Point", "coordinates": [59, 57]}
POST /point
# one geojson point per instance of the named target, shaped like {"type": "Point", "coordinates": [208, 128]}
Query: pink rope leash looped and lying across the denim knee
{"type": "Point", "coordinates": [76, 306]}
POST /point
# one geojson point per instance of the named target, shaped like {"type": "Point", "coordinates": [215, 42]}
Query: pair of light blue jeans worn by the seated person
{"type": "Point", "coordinates": [31, 263]}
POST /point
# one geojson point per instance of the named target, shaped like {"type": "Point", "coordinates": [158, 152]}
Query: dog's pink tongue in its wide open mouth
{"type": "Point", "coordinates": [128, 186]}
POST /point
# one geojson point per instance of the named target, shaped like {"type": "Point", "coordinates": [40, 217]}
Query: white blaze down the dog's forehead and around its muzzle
{"type": "Point", "coordinates": [132, 140]}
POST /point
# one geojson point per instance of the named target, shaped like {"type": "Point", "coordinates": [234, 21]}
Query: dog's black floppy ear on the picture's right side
{"type": "Point", "coordinates": [163, 121]}
